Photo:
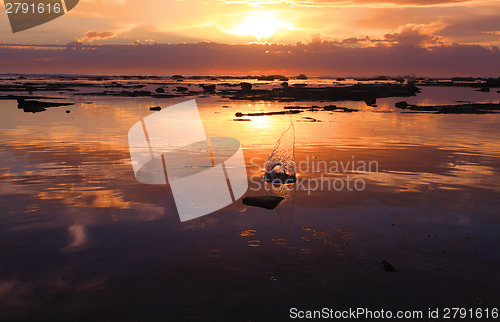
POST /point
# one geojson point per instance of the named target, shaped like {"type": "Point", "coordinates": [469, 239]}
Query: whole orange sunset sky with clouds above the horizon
{"type": "Point", "coordinates": [334, 37]}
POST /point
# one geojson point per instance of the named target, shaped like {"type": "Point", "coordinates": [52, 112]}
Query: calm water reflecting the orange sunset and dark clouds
{"type": "Point", "coordinates": [81, 239]}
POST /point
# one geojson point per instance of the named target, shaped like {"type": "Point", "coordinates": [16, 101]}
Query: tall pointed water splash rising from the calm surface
{"type": "Point", "coordinates": [280, 166]}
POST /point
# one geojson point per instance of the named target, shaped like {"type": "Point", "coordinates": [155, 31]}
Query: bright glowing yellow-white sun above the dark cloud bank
{"type": "Point", "coordinates": [261, 25]}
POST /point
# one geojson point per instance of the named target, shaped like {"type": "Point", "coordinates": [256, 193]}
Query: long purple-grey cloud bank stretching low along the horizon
{"type": "Point", "coordinates": [318, 58]}
